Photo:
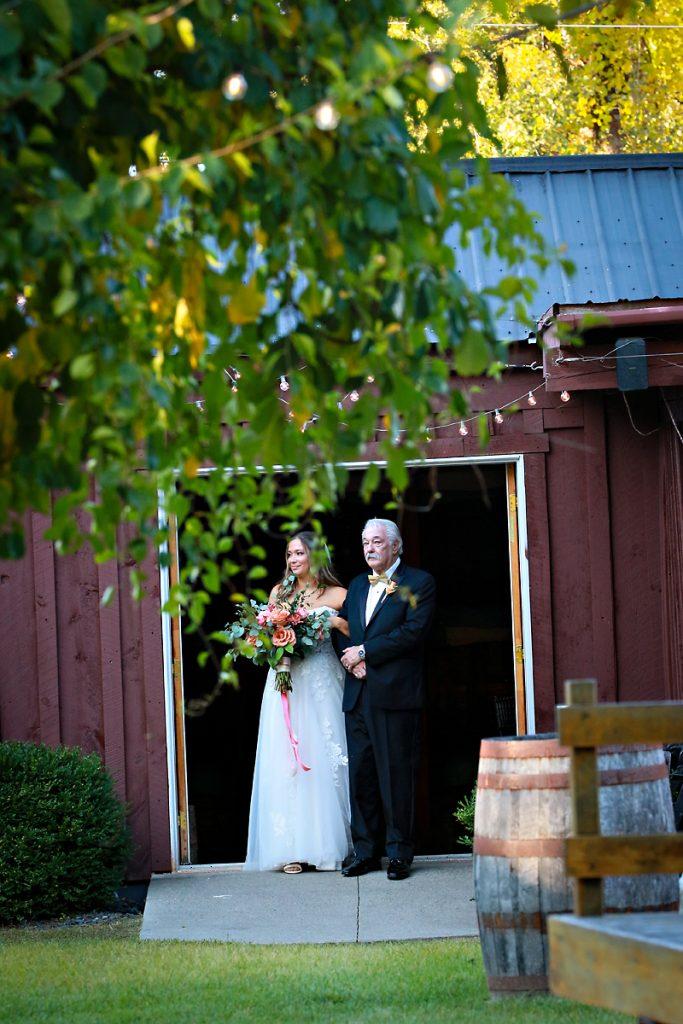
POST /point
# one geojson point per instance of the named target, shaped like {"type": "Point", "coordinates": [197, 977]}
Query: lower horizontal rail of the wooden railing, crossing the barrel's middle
{"type": "Point", "coordinates": [595, 857]}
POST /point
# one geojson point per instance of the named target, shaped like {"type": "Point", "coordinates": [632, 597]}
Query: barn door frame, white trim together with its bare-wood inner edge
{"type": "Point", "coordinates": [173, 639]}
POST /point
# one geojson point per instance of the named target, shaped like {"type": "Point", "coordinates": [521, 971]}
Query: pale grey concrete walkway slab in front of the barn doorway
{"type": "Point", "coordinates": [269, 908]}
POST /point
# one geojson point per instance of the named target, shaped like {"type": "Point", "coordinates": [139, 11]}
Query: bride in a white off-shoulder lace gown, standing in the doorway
{"type": "Point", "coordinates": [303, 818]}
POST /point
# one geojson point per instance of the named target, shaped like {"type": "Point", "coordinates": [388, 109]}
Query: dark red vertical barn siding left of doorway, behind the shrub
{"type": "Point", "coordinates": [90, 677]}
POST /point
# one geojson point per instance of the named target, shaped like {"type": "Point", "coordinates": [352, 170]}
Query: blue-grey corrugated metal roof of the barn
{"type": "Point", "coordinates": [620, 218]}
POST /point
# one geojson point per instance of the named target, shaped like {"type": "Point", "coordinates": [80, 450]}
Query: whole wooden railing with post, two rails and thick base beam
{"type": "Point", "coordinates": [634, 962]}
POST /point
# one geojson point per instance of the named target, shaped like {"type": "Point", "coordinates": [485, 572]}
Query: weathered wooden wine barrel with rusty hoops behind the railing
{"type": "Point", "coordinates": [522, 820]}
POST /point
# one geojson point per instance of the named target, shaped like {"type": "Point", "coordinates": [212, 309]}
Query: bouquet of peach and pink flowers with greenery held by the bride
{"type": "Point", "coordinates": [273, 634]}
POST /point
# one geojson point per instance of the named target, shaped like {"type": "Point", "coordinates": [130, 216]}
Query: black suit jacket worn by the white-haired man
{"type": "Point", "coordinates": [394, 641]}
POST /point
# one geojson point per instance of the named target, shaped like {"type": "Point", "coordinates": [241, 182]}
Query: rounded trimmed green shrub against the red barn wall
{"type": "Point", "coordinates": [64, 839]}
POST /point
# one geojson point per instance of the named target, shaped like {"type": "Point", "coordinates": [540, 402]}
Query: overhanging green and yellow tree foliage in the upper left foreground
{"type": "Point", "coordinates": [170, 250]}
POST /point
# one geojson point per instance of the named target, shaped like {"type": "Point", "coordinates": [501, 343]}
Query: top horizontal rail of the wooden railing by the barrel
{"type": "Point", "coordinates": [626, 723]}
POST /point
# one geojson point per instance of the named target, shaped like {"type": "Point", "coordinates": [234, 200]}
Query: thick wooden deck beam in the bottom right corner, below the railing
{"type": "Point", "coordinates": [631, 963]}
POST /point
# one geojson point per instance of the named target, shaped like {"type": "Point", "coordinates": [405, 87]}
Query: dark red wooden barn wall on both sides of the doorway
{"type": "Point", "coordinates": [606, 550]}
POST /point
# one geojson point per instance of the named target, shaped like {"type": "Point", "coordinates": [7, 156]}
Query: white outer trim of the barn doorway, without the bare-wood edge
{"type": "Point", "coordinates": [453, 462]}
